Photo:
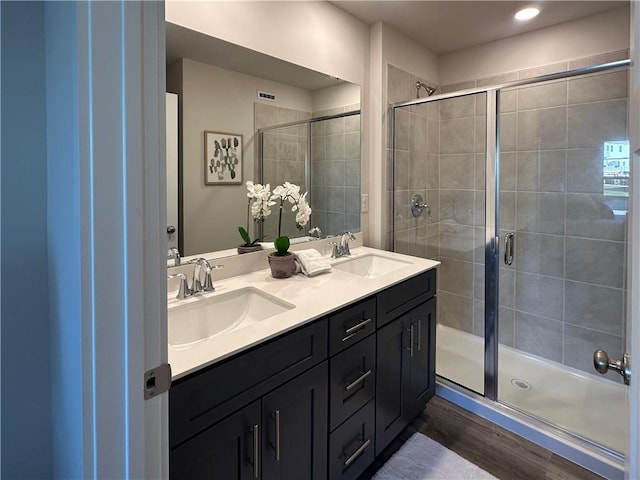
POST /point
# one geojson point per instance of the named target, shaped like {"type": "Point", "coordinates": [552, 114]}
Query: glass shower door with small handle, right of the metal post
{"type": "Point", "coordinates": [564, 181]}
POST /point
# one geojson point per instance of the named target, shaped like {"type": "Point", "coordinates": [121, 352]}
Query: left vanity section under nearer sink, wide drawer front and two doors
{"type": "Point", "coordinates": [261, 414]}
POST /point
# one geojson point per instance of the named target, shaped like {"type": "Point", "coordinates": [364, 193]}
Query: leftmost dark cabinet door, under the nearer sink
{"type": "Point", "coordinates": [225, 450]}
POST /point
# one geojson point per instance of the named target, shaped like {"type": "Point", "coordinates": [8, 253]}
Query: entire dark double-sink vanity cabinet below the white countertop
{"type": "Point", "coordinates": [319, 402]}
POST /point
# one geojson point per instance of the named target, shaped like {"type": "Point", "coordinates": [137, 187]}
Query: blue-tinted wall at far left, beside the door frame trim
{"type": "Point", "coordinates": [26, 374]}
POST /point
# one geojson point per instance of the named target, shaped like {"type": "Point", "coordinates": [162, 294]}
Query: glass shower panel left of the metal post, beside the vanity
{"type": "Point", "coordinates": [439, 161]}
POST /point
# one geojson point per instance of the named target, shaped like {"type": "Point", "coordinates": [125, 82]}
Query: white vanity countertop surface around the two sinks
{"type": "Point", "coordinates": [313, 297]}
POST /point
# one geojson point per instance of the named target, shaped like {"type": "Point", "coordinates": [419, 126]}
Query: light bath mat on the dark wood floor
{"type": "Point", "coordinates": [421, 458]}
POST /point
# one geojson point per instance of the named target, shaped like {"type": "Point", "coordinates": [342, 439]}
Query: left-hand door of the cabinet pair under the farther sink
{"type": "Point", "coordinates": [391, 381]}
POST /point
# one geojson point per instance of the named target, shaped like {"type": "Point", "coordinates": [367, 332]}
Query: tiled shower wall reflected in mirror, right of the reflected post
{"type": "Point", "coordinates": [335, 172]}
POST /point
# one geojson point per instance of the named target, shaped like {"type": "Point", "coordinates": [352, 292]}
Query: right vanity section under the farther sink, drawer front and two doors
{"type": "Point", "coordinates": [405, 379]}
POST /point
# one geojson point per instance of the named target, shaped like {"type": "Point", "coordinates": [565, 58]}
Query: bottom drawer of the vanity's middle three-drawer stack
{"type": "Point", "coordinates": [351, 446]}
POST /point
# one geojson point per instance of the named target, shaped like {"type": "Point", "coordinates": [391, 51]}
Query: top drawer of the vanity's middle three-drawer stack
{"type": "Point", "coordinates": [351, 325]}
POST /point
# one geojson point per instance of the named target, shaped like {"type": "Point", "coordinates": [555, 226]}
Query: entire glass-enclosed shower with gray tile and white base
{"type": "Point", "coordinates": [532, 249]}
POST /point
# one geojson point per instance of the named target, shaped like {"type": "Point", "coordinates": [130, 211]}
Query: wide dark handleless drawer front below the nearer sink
{"type": "Point", "coordinates": [206, 397]}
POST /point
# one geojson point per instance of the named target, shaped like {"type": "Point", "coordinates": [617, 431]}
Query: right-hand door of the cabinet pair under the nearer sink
{"type": "Point", "coordinates": [295, 418]}
